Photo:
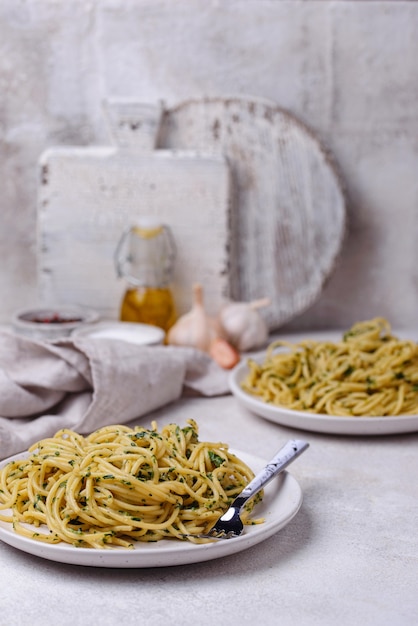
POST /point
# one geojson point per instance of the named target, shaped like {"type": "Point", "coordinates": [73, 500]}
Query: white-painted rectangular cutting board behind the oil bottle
{"type": "Point", "coordinates": [87, 196]}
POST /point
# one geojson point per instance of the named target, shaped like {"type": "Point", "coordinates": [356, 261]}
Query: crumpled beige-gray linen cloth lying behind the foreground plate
{"type": "Point", "coordinates": [84, 384]}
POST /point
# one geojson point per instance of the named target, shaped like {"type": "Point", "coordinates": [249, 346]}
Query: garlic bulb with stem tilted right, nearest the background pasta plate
{"type": "Point", "coordinates": [242, 325]}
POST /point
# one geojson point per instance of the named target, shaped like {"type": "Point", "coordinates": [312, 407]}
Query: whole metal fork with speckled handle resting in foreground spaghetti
{"type": "Point", "coordinates": [230, 523]}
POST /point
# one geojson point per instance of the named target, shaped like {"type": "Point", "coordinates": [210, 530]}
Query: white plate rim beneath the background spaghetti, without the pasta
{"type": "Point", "coordinates": [317, 422]}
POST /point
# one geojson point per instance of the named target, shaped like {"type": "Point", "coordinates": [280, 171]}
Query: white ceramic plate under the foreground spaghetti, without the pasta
{"type": "Point", "coordinates": [282, 500]}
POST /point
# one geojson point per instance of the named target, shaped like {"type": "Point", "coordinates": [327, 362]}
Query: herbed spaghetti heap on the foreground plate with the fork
{"type": "Point", "coordinates": [120, 485]}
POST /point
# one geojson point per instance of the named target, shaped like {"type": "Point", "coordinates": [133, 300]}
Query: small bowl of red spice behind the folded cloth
{"type": "Point", "coordinates": [50, 323]}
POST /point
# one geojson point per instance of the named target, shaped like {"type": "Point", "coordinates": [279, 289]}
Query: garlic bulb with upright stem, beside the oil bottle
{"type": "Point", "coordinates": [194, 329]}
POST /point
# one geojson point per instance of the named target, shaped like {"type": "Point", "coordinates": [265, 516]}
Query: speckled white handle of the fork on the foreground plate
{"type": "Point", "coordinates": [290, 451]}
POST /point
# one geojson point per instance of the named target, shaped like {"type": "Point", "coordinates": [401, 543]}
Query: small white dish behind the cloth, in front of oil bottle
{"type": "Point", "coordinates": [141, 334]}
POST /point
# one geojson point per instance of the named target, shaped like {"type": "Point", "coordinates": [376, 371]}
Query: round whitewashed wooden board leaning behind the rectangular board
{"type": "Point", "coordinates": [287, 220]}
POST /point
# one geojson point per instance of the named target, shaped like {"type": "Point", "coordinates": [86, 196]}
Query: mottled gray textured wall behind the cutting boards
{"type": "Point", "coordinates": [347, 69]}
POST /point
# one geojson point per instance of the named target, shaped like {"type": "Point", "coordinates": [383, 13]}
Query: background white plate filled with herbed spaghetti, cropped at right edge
{"type": "Point", "coordinates": [364, 382]}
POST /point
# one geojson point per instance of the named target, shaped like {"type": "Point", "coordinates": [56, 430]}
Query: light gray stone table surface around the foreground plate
{"type": "Point", "coordinates": [350, 555]}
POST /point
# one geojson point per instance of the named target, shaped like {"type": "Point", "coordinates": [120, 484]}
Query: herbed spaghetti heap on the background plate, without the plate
{"type": "Point", "coordinates": [369, 372]}
